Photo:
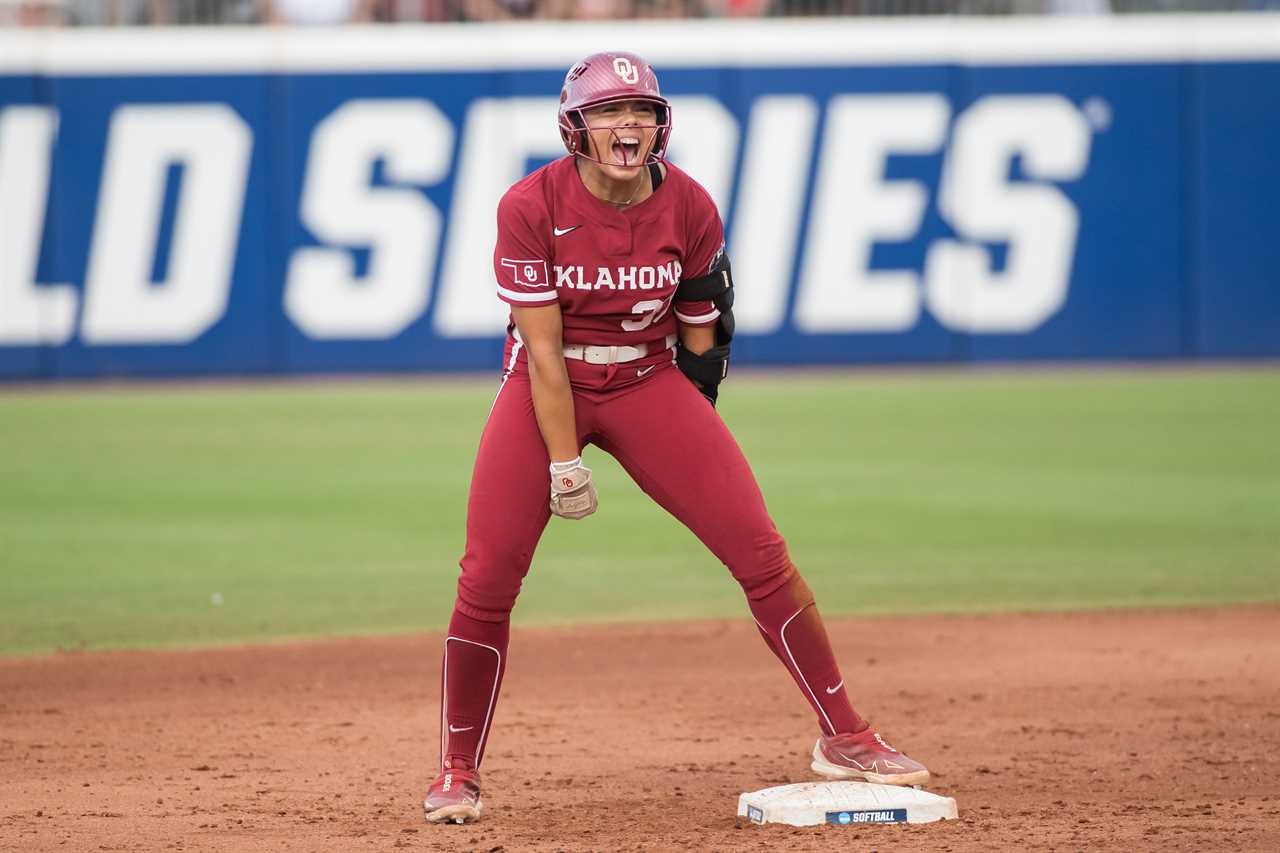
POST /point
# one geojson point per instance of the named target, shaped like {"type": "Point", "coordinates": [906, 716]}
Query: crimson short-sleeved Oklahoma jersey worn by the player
{"type": "Point", "coordinates": [614, 272]}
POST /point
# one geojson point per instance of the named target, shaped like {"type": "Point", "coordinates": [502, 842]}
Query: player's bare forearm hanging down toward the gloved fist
{"type": "Point", "coordinates": [542, 331]}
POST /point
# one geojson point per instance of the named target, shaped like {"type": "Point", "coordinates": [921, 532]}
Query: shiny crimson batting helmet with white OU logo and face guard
{"type": "Point", "coordinates": [601, 79]}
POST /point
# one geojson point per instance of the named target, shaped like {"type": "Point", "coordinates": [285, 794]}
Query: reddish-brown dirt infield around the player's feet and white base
{"type": "Point", "coordinates": [1149, 731]}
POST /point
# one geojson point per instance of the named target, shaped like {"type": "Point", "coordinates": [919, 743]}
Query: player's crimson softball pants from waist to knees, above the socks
{"type": "Point", "coordinates": [671, 443]}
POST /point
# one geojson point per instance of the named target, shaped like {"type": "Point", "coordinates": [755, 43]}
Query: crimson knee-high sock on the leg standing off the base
{"type": "Point", "coordinates": [476, 659]}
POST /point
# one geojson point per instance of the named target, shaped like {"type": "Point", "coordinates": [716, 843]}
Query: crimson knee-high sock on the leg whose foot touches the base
{"type": "Point", "coordinates": [792, 627]}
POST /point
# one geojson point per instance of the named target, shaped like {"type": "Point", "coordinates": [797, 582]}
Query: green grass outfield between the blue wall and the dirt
{"type": "Point", "coordinates": [313, 509]}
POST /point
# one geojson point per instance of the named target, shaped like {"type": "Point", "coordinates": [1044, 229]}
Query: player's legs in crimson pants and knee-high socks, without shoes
{"type": "Point", "coordinates": [676, 448]}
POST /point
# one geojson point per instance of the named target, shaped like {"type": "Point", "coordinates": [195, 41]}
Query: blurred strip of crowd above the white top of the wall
{"type": "Point", "coordinates": [112, 13]}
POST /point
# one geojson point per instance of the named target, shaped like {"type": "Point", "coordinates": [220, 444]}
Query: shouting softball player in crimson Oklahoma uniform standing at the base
{"type": "Point", "coordinates": [621, 318]}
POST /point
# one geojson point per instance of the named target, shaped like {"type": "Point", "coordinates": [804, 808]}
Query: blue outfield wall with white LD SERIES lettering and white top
{"type": "Point", "coordinates": [243, 202]}
